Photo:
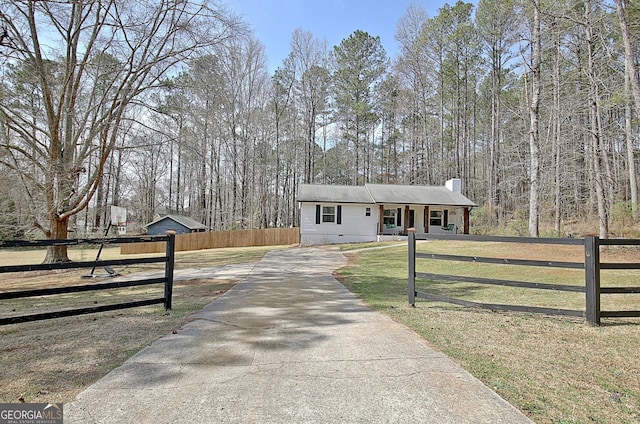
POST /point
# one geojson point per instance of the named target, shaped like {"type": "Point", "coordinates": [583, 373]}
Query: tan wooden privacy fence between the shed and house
{"type": "Point", "coordinates": [220, 239]}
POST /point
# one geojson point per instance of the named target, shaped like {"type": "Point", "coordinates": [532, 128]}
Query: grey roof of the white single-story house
{"type": "Point", "coordinates": [383, 194]}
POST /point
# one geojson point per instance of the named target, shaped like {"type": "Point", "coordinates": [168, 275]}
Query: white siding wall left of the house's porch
{"type": "Point", "coordinates": [355, 226]}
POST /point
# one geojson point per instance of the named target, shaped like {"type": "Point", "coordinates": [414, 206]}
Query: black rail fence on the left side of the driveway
{"type": "Point", "coordinates": [167, 241]}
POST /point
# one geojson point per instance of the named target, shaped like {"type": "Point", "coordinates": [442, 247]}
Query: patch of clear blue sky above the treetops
{"type": "Point", "coordinates": [273, 21]}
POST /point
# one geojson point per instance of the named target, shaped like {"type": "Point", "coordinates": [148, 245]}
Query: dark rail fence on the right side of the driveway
{"type": "Point", "coordinates": [591, 265]}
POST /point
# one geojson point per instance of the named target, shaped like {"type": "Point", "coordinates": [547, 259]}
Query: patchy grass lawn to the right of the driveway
{"type": "Point", "coordinates": [556, 370]}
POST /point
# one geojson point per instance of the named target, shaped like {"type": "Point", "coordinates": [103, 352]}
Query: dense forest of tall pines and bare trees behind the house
{"type": "Point", "coordinates": [532, 103]}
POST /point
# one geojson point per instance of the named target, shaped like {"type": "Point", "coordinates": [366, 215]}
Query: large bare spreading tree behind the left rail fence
{"type": "Point", "coordinates": [71, 72]}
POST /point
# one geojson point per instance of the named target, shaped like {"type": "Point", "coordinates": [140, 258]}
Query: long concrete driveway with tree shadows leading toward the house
{"type": "Point", "coordinates": [289, 344]}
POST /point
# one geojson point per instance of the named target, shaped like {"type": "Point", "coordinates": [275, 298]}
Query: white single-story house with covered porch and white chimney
{"type": "Point", "coordinates": [350, 214]}
